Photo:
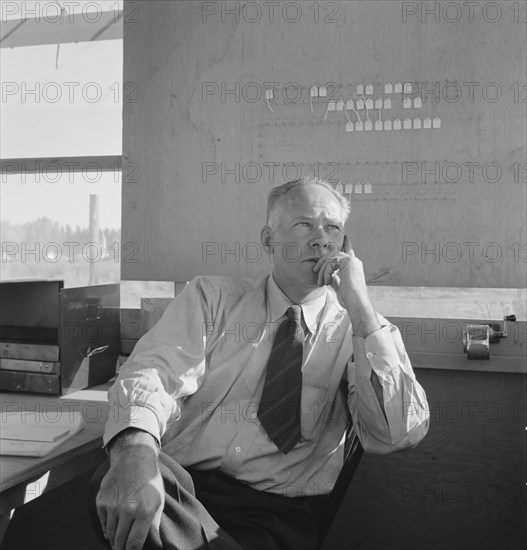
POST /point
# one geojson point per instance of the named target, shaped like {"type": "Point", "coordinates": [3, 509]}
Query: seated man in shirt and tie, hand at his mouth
{"type": "Point", "coordinates": [209, 379]}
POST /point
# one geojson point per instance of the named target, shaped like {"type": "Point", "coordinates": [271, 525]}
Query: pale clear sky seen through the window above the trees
{"type": "Point", "coordinates": [58, 105]}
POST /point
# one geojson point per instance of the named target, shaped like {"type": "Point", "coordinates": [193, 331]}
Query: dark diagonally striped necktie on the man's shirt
{"type": "Point", "coordinates": [279, 410]}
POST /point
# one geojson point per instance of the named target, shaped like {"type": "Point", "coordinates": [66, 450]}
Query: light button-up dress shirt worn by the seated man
{"type": "Point", "coordinates": [195, 381]}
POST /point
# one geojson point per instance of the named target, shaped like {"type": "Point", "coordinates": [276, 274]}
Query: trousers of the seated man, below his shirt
{"type": "Point", "coordinates": [209, 510]}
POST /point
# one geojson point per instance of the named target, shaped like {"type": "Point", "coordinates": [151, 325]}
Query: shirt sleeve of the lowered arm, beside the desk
{"type": "Point", "coordinates": [166, 365]}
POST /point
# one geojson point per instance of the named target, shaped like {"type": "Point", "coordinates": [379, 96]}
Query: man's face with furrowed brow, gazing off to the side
{"type": "Point", "coordinates": [310, 226]}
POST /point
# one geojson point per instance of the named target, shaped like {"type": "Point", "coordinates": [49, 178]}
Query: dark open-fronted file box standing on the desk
{"type": "Point", "coordinates": [57, 340]}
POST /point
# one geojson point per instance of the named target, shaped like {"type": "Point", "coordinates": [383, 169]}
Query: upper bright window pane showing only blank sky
{"type": "Point", "coordinates": [62, 100]}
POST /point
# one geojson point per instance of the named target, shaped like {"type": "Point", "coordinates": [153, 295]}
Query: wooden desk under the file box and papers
{"type": "Point", "coordinates": [23, 479]}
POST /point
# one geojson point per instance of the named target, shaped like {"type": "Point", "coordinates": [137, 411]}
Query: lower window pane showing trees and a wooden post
{"type": "Point", "coordinates": [46, 227]}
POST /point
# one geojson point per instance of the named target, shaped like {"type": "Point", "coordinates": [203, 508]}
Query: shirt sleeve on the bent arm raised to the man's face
{"type": "Point", "coordinates": [403, 419]}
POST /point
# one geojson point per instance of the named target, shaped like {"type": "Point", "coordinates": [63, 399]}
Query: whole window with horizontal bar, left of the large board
{"type": "Point", "coordinates": [61, 141]}
